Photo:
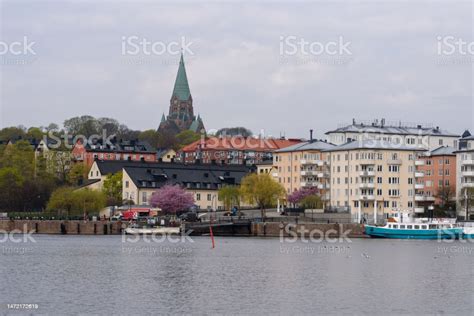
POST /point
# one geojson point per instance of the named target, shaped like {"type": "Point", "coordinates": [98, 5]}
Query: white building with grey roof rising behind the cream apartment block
{"type": "Point", "coordinates": [398, 133]}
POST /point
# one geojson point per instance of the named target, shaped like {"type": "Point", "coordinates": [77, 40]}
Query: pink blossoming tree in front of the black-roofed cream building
{"type": "Point", "coordinates": [172, 199]}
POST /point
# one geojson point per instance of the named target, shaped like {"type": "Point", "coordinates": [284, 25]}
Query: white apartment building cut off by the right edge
{"type": "Point", "coordinates": [465, 178]}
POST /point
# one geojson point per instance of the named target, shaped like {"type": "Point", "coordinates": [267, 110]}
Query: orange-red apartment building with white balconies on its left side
{"type": "Point", "coordinates": [439, 169]}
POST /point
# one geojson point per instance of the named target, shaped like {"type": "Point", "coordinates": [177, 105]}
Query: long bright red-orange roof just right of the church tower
{"type": "Point", "coordinates": [240, 143]}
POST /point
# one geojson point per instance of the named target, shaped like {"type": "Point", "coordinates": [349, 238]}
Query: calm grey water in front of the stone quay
{"type": "Point", "coordinates": [102, 275]}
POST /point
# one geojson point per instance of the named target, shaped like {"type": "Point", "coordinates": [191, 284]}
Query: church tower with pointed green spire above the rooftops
{"type": "Point", "coordinates": [181, 113]}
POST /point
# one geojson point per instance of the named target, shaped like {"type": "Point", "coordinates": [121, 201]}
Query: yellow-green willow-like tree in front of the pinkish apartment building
{"type": "Point", "coordinates": [262, 190]}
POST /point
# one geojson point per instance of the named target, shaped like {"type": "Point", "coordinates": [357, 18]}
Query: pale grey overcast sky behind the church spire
{"type": "Point", "coordinates": [363, 60]}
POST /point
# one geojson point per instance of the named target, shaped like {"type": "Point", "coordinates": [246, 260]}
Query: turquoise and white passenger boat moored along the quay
{"type": "Point", "coordinates": [416, 230]}
